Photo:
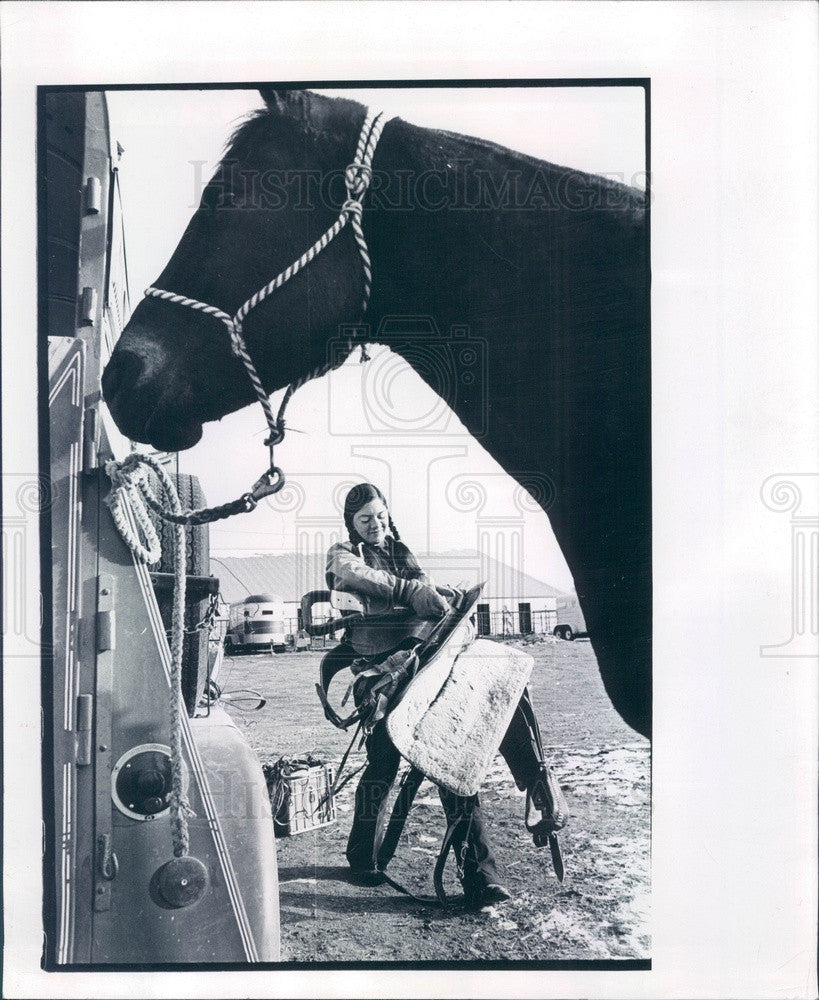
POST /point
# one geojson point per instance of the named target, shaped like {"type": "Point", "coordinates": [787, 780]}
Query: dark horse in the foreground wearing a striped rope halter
{"type": "Point", "coordinates": [546, 265]}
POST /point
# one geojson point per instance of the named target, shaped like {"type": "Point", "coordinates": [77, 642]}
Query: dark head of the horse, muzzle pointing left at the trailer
{"type": "Point", "coordinates": [279, 186]}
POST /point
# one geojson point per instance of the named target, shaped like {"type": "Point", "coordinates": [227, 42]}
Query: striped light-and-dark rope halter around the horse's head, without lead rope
{"type": "Point", "coordinates": [357, 177]}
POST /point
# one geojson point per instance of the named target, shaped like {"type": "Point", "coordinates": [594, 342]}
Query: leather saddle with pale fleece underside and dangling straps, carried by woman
{"type": "Point", "coordinates": [448, 683]}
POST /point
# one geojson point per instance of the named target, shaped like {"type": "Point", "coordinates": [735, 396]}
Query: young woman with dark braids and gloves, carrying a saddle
{"type": "Point", "coordinates": [376, 566]}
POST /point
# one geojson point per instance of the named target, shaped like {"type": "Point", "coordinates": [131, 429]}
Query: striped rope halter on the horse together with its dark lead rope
{"type": "Point", "coordinates": [357, 177]}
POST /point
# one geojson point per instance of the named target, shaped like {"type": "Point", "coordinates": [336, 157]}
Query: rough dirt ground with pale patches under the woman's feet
{"type": "Point", "coordinates": [599, 912]}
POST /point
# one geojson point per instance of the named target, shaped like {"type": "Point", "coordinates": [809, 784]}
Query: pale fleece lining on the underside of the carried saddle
{"type": "Point", "coordinates": [453, 715]}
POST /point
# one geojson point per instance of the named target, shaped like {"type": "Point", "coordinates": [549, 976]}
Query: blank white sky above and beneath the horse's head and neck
{"type": "Point", "coordinates": [378, 421]}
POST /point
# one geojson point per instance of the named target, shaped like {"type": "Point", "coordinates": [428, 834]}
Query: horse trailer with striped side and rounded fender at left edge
{"type": "Point", "coordinates": [119, 889]}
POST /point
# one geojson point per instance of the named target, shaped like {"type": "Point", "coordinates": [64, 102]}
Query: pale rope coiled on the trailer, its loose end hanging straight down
{"type": "Point", "coordinates": [131, 491]}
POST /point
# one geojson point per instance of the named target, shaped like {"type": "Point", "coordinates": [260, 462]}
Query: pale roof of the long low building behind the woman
{"type": "Point", "coordinates": [291, 575]}
